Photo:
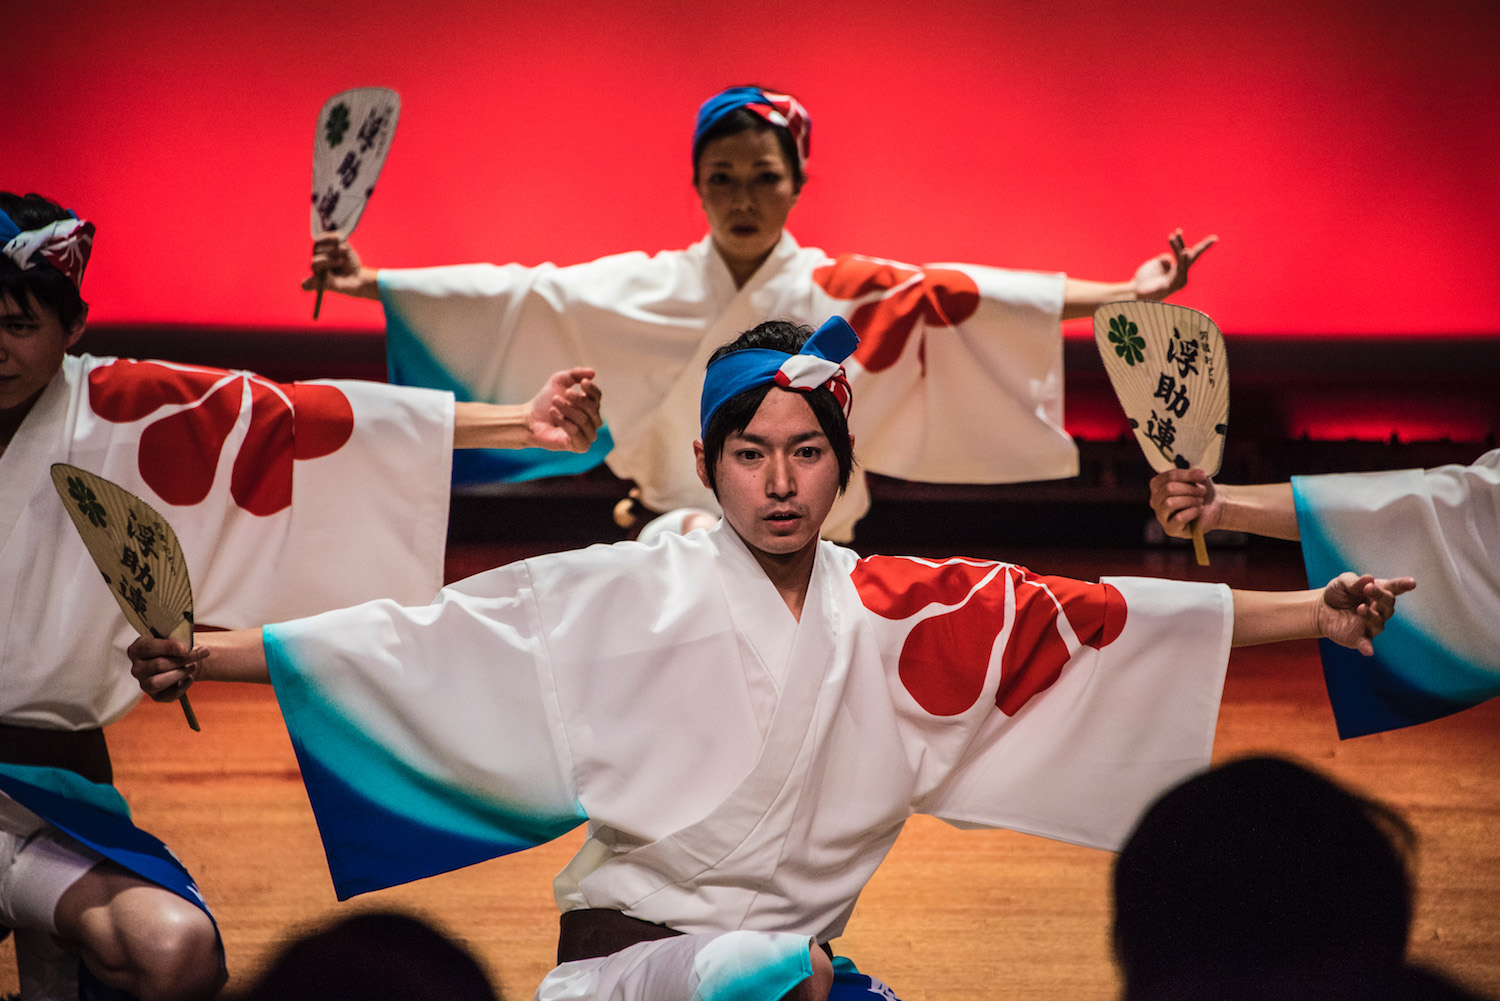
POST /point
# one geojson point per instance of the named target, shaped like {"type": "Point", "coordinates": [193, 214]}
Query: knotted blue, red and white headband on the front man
{"type": "Point", "coordinates": [817, 365]}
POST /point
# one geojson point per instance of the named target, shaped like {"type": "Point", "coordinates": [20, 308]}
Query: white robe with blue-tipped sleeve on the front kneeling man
{"type": "Point", "coordinates": [740, 769]}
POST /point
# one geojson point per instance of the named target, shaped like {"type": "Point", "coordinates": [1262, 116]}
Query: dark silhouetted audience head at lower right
{"type": "Point", "coordinates": [1261, 868]}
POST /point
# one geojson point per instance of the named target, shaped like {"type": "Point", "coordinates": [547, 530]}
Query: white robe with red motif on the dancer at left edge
{"type": "Point", "coordinates": [286, 499]}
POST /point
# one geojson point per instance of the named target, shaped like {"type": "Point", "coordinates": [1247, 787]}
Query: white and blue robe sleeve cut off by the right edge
{"type": "Point", "coordinates": [1442, 652]}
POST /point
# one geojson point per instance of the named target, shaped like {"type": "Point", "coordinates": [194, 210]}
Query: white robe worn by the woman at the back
{"type": "Point", "coordinates": [958, 377]}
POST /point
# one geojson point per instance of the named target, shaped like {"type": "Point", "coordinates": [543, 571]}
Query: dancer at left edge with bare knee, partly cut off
{"type": "Point", "coordinates": [262, 482]}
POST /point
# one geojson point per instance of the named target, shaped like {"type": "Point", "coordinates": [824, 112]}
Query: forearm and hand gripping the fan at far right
{"type": "Point", "coordinates": [1178, 497]}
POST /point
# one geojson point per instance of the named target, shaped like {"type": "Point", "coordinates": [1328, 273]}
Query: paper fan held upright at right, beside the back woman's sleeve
{"type": "Point", "coordinates": [1171, 373]}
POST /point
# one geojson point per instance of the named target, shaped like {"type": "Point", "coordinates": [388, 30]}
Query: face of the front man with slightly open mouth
{"type": "Point", "coordinates": [778, 478]}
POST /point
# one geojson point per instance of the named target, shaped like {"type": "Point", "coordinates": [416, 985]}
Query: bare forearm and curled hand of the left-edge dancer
{"type": "Point", "coordinates": [563, 416]}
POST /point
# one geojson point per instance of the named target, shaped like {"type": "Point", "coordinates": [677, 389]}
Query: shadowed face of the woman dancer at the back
{"type": "Point", "coordinates": [746, 187]}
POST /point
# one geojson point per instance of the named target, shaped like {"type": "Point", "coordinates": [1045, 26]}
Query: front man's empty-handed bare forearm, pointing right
{"type": "Point", "coordinates": [1351, 612]}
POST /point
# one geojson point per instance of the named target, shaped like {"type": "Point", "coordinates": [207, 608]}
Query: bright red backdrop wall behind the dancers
{"type": "Point", "coordinates": [1345, 154]}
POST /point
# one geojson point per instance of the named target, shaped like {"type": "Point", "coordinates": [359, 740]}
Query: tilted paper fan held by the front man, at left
{"type": "Point", "coordinates": [136, 552]}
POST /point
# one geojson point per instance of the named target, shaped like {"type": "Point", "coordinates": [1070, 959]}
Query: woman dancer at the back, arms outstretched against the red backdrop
{"type": "Point", "coordinates": [968, 356]}
